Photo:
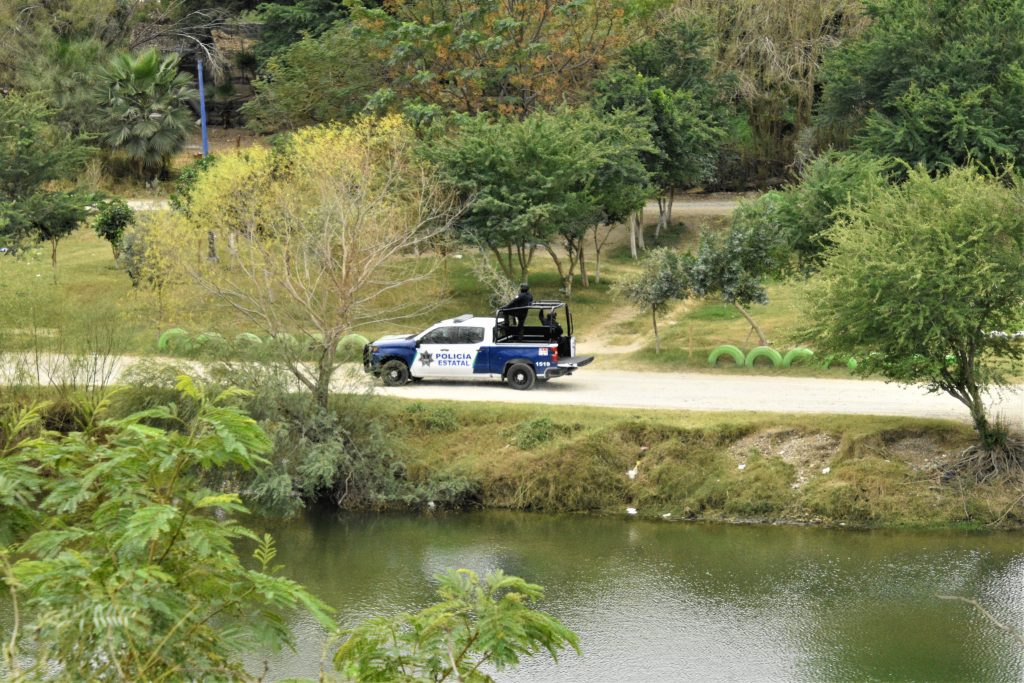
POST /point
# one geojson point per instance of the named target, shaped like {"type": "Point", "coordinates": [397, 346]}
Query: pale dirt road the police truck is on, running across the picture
{"type": "Point", "coordinates": [592, 387]}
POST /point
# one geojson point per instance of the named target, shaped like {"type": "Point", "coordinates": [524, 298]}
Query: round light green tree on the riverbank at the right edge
{"type": "Point", "coordinates": [924, 283]}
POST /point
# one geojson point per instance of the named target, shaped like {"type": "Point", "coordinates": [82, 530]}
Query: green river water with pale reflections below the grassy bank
{"type": "Point", "coordinates": [671, 602]}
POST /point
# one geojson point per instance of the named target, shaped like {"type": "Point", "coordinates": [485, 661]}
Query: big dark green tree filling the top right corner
{"type": "Point", "coordinates": [936, 83]}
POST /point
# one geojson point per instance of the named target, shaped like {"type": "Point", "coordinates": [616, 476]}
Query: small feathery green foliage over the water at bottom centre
{"type": "Point", "coordinates": [478, 623]}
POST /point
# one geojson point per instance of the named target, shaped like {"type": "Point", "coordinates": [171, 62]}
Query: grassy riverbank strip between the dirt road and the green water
{"type": "Point", "coordinates": [770, 468]}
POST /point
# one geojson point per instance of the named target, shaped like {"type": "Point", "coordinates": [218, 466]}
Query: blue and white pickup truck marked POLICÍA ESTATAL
{"type": "Point", "coordinates": [500, 348]}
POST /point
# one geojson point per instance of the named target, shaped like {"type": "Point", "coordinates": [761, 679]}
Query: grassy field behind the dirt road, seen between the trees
{"type": "Point", "coordinates": [93, 303]}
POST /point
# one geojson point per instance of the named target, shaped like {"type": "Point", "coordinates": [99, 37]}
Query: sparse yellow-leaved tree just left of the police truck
{"type": "Point", "coordinates": [317, 236]}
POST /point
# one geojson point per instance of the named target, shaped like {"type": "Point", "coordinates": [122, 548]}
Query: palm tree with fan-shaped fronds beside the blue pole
{"type": "Point", "coordinates": [147, 114]}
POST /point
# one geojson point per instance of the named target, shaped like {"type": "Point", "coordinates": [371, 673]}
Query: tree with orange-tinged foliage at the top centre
{"type": "Point", "coordinates": [493, 57]}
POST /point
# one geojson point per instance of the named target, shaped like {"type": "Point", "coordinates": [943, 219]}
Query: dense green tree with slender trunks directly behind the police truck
{"type": "Point", "coordinates": [544, 181]}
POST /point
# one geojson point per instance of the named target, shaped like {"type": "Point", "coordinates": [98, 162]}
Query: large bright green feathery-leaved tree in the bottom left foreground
{"type": "Point", "coordinates": [131, 570]}
